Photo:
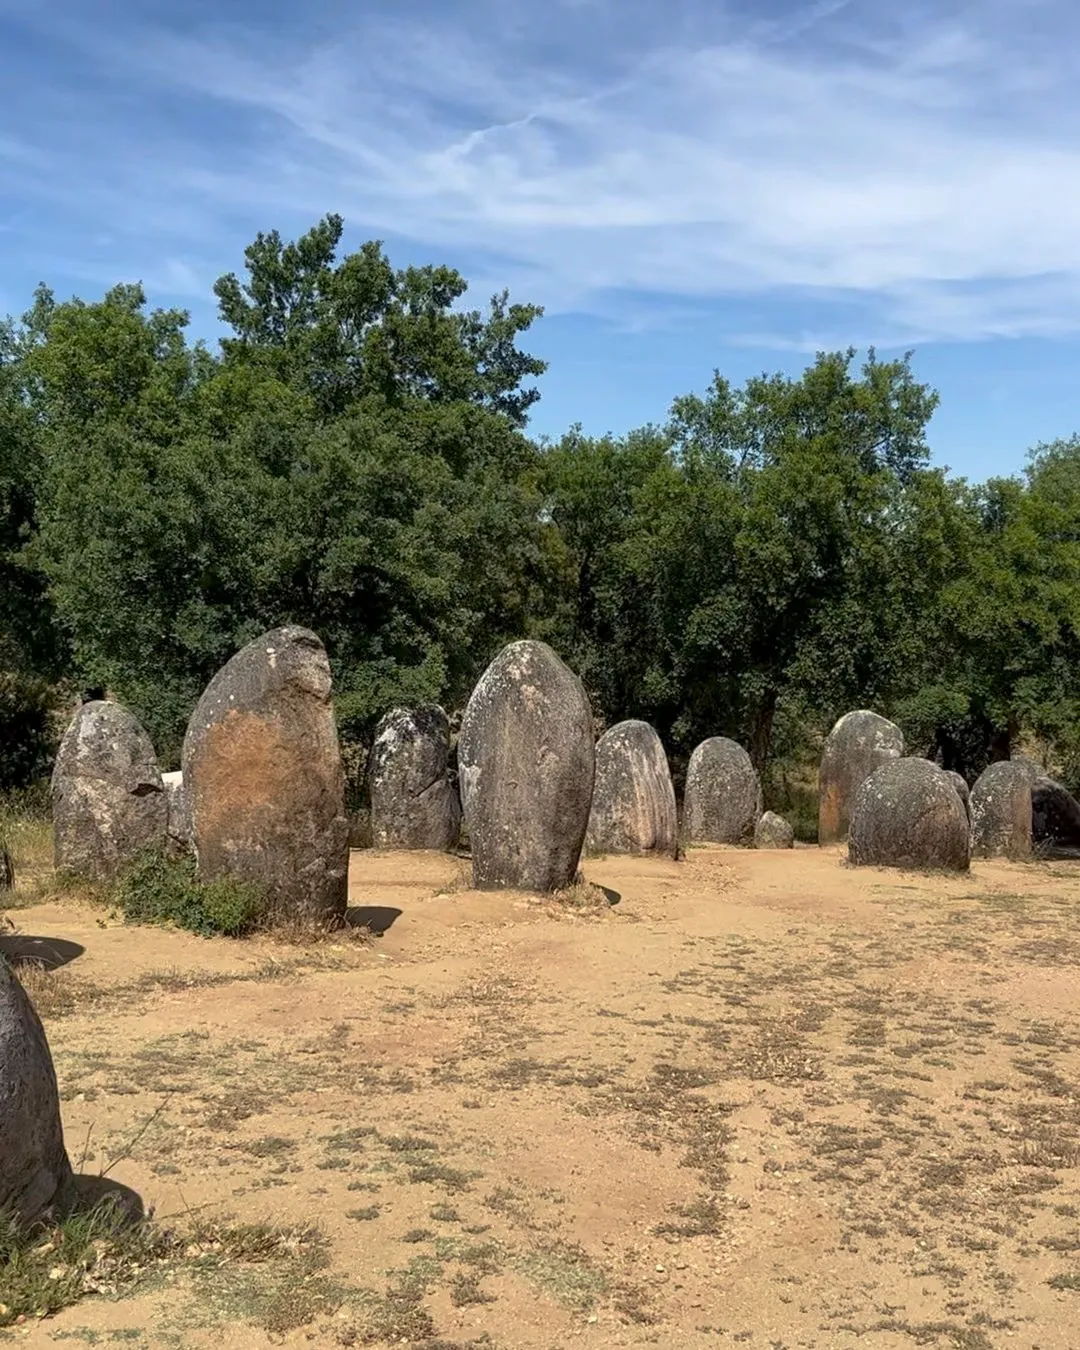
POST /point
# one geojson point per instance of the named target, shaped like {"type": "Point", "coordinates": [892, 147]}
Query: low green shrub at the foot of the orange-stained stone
{"type": "Point", "coordinates": [160, 890]}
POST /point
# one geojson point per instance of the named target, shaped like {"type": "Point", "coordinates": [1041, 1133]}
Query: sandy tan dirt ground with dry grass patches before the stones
{"type": "Point", "coordinates": [754, 1100]}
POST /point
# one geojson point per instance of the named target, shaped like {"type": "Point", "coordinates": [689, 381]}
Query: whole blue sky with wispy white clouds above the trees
{"type": "Point", "coordinates": [684, 186]}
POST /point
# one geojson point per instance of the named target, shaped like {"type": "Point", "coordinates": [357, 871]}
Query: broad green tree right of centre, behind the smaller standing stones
{"type": "Point", "coordinates": [754, 550]}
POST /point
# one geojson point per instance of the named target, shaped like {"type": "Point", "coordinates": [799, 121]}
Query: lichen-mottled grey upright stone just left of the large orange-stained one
{"type": "Point", "coordinates": [109, 800]}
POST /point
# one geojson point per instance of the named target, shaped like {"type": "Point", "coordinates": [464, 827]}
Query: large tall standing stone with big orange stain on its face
{"type": "Point", "coordinates": [264, 777]}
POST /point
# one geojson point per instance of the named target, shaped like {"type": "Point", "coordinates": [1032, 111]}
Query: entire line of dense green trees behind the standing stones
{"type": "Point", "coordinates": [356, 458]}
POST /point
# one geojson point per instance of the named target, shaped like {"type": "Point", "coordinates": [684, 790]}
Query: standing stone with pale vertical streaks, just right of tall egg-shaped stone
{"type": "Point", "coordinates": [634, 800]}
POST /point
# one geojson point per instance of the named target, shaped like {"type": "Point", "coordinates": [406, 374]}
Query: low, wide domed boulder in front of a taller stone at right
{"type": "Point", "coordinates": [908, 815]}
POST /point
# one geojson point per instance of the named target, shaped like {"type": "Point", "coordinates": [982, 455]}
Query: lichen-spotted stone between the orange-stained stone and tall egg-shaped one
{"type": "Point", "coordinates": [414, 804]}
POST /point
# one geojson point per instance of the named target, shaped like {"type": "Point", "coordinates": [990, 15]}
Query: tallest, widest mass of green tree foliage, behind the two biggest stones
{"type": "Point", "coordinates": [356, 470]}
